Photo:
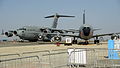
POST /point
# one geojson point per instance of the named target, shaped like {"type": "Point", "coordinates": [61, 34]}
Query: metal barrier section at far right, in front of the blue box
{"type": "Point", "coordinates": [104, 61]}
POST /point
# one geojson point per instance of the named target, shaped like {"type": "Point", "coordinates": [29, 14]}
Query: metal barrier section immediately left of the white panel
{"type": "Point", "coordinates": [56, 60]}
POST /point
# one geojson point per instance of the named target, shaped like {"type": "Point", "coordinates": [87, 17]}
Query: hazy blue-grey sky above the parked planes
{"type": "Point", "coordinates": [103, 14]}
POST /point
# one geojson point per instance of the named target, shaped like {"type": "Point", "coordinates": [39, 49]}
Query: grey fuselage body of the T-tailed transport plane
{"type": "Point", "coordinates": [32, 33]}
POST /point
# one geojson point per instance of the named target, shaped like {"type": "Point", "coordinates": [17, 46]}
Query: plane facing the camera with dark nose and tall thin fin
{"type": "Point", "coordinates": [86, 32]}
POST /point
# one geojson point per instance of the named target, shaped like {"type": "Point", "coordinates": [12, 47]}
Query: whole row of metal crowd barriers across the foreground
{"type": "Point", "coordinates": [62, 58]}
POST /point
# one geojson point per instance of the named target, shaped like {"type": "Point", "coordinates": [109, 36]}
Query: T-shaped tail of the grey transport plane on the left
{"type": "Point", "coordinates": [56, 16]}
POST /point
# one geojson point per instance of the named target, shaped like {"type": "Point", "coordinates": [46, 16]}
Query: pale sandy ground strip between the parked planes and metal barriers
{"type": "Point", "coordinates": [20, 47]}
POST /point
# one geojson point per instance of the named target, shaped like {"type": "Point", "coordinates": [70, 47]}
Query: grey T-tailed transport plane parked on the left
{"type": "Point", "coordinates": [34, 33]}
